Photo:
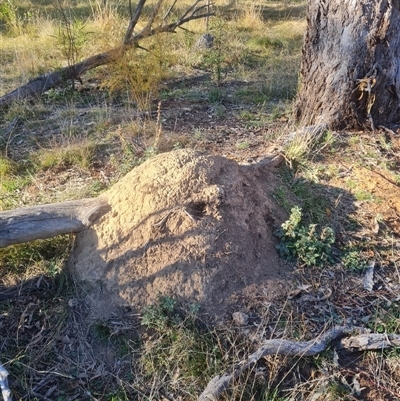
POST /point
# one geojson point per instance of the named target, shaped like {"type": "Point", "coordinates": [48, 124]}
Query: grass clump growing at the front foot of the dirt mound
{"type": "Point", "coordinates": [181, 350]}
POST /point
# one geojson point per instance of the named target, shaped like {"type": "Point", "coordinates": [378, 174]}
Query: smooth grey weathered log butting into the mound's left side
{"type": "Point", "coordinates": [46, 221]}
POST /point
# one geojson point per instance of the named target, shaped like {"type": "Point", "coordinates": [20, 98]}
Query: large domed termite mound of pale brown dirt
{"type": "Point", "coordinates": [183, 224]}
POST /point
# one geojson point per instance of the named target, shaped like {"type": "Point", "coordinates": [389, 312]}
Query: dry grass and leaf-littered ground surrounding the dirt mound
{"type": "Point", "coordinates": [233, 99]}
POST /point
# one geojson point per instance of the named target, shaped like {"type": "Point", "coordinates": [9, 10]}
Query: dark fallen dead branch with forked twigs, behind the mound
{"type": "Point", "coordinates": [131, 40]}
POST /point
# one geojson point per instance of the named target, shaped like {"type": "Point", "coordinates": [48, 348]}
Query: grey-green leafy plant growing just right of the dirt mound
{"type": "Point", "coordinates": [309, 245]}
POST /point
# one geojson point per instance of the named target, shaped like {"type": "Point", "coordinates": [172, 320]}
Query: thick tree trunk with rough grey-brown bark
{"type": "Point", "coordinates": [350, 71]}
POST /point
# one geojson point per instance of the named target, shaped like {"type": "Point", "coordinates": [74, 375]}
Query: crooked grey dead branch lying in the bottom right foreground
{"type": "Point", "coordinates": [363, 341]}
